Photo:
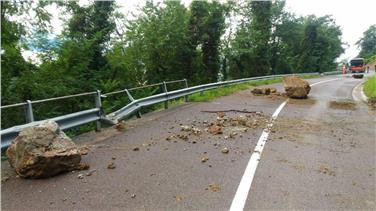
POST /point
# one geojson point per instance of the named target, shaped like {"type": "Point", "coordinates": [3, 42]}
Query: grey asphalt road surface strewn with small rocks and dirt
{"type": "Point", "coordinates": [320, 155]}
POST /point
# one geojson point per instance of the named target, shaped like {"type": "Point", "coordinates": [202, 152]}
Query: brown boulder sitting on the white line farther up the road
{"type": "Point", "coordinates": [296, 87]}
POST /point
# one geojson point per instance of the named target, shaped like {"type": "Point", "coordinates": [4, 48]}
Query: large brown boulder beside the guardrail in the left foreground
{"type": "Point", "coordinates": [43, 151]}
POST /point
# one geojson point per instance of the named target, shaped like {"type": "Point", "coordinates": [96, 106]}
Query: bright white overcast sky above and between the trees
{"type": "Point", "coordinates": [354, 17]}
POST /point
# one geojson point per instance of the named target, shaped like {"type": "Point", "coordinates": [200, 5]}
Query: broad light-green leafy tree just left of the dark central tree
{"type": "Point", "coordinates": [156, 41]}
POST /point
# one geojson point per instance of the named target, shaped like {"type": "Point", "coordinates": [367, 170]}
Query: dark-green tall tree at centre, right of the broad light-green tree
{"type": "Point", "coordinates": [205, 28]}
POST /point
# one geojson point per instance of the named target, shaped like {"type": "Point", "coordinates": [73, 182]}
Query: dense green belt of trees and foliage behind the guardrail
{"type": "Point", "coordinates": [103, 49]}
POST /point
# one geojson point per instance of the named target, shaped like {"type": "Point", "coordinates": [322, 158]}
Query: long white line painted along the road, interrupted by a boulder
{"type": "Point", "coordinates": [244, 187]}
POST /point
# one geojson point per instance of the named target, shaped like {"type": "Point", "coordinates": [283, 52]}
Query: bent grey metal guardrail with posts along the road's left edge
{"type": "Point", "coordinates": [97, 115]}
